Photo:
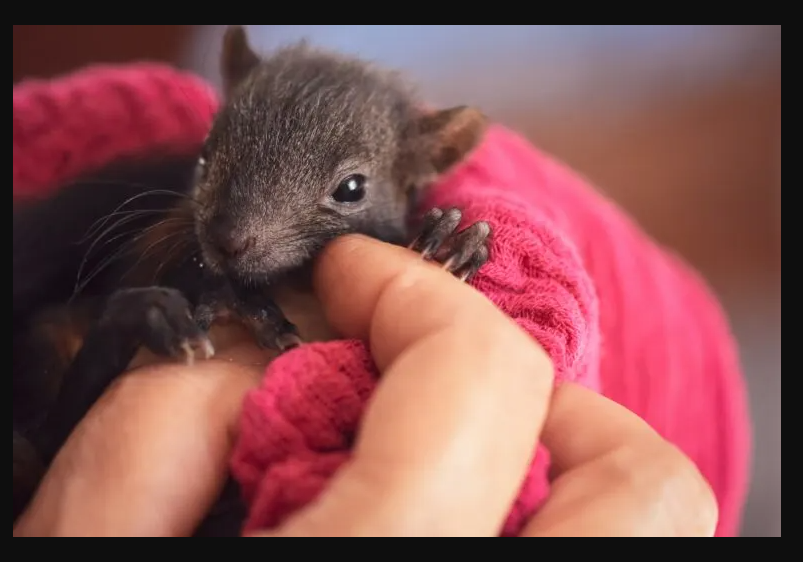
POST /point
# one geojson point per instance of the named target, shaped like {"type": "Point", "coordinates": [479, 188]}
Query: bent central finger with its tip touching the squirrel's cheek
{"type": "Point", "coordinates": [451, 429]}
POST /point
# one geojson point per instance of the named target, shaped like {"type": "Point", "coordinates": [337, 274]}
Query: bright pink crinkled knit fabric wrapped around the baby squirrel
{"type": "Point", "coordinates": [614, 310]}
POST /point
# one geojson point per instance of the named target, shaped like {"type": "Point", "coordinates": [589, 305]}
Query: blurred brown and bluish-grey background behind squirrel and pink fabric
{"type": "Point", "coordinates": [681, 125]}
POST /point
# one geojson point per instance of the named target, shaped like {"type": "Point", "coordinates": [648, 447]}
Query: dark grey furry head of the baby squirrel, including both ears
{"type": "Point", "coordinates": [294, 125]}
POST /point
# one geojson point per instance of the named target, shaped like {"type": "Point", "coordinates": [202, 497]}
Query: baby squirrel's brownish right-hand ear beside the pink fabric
{"type": "Point", "coordinates": [451, 134]}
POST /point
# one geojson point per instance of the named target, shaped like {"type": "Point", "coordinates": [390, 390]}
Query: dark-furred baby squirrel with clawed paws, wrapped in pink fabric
{"type": "Point", "coordinates": [308, 146]}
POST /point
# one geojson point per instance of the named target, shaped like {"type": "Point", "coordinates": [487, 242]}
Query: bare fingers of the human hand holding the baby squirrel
{"type": "Point", "coordinates": [150, 457]}
